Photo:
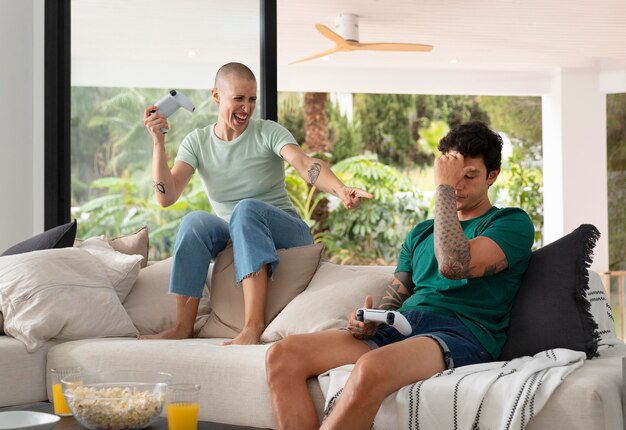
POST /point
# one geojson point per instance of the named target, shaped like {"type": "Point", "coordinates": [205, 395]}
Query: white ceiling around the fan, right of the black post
{"type": "Point", "coordinates": [479, 34]}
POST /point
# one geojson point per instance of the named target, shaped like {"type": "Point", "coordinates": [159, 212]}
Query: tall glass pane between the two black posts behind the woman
{"type": "Point", "coordinates": [126, 56]}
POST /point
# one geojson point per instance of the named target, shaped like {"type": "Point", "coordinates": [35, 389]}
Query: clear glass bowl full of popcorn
{"type": "Point", "coordinates": [116, 400]}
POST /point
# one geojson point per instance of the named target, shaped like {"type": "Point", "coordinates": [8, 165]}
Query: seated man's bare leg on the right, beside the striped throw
{"type": "Point", "coordinates": [379, 373]}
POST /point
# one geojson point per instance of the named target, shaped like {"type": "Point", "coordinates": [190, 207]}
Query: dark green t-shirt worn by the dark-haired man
{"type": "Point", "coordinates": [483, 304]}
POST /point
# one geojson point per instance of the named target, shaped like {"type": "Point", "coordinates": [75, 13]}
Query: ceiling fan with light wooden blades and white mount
{"type": "Point", "coordinates": [346, 38]}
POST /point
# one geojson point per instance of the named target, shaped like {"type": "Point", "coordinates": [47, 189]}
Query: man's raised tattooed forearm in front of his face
{"type": "Point", "coordinates": [452, 248]}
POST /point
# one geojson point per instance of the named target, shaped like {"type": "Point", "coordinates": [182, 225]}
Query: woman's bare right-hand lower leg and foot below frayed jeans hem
{"type": "Point", "coordinates": [254, 298]}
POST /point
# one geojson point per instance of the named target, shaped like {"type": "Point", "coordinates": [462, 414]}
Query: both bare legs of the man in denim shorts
{"type": "Point", "coordinates": [377, 374]}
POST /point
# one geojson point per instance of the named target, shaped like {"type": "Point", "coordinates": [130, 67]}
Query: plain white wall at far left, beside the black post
{"type": "Point", "coordinates": [21, 115]}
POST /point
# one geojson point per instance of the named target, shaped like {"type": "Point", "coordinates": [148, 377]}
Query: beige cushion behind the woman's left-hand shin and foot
{"type": "Point", "coordinates": [149, 305]}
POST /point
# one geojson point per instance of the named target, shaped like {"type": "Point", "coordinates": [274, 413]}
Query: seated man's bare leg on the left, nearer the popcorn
{"type": "Point", "coordinates": [291, 361]}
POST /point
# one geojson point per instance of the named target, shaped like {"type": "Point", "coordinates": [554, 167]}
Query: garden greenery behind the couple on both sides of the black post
{"type": "Point", "coordinates": [383, 143]}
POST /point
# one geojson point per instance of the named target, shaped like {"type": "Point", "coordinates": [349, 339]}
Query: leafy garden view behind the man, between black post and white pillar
{"type": "Point", "coordinates": [386, 144]}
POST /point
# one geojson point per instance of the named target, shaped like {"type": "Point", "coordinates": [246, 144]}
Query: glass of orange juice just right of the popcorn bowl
{"type": "Point", "coordinates": [182, 406]}
